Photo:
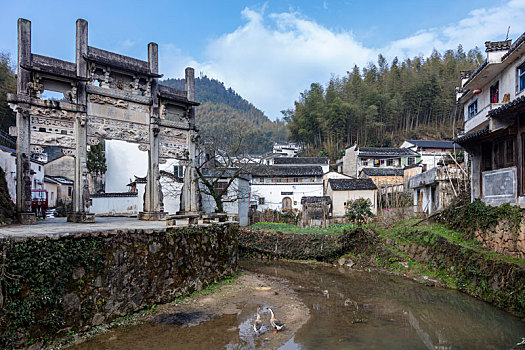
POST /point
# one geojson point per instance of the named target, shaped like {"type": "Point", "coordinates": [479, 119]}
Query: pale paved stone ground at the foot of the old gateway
{"type": "Point", "coordinates": [54, 227]}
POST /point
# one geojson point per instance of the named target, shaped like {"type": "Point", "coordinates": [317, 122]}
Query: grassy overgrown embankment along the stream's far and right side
{"type": "Point", "coordinates": [490, 277]}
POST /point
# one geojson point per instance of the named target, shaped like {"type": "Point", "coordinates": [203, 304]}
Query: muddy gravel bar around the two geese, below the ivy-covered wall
{"type": "Point", "coordinates": [214, 321]}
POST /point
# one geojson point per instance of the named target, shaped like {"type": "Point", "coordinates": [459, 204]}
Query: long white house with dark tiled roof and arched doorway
{"type": "Point", "coordinates": [280, 187]}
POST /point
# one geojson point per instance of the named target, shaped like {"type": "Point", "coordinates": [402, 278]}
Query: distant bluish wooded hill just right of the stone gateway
{"type": "Point", "coordinates": [223, 108]}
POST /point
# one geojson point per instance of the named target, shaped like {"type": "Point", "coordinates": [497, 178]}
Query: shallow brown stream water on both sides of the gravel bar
{"type": "Point", "coordinates": [348, 310]}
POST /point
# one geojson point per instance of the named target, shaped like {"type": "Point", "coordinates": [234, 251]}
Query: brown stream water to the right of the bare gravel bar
{"type": "Point", "coordinates": [357, 310]}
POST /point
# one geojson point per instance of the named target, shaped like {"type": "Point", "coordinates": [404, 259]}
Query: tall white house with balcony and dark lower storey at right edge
{"type": "Point", "coordinates": [493, 98]}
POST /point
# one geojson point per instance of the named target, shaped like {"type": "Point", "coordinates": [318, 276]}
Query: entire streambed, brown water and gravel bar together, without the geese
{"type": "Point", "coordinates": [324, 308]}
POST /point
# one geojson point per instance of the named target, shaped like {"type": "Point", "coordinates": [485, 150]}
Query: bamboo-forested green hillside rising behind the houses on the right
{"type": "Point", "coordinates": [382, 104]}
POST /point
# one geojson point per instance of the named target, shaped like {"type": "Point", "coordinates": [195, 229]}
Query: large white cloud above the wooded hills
{"type": "Point", "coordinates": [273, 57]}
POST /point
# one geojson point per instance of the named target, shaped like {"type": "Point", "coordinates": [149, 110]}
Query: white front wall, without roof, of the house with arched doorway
{"type": "Point", "coordinates": [273, 197]}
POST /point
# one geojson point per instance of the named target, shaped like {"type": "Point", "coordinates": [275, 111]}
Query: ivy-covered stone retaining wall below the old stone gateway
{"type": "Point", "coordinates": [69, 283]}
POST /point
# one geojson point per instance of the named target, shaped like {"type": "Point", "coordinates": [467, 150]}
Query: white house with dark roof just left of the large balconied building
{"type": "Point", "coordinates": [432, 152]}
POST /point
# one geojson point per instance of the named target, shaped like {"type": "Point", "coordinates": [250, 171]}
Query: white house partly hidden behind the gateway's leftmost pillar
{"type": "Point", "coordinates": [8, 164]}
